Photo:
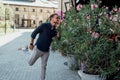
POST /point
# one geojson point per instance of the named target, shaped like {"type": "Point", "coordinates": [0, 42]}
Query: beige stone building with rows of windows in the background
{"type": "Point", "coordinates": [31, 14]}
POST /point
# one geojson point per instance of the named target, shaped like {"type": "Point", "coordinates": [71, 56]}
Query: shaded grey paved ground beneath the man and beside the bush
{"type": "Point", "coordinates": [14, 63]}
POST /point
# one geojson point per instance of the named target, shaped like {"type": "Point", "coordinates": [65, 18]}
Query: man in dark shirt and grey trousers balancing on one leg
{"type": "Point", "coordinates": [46, 31]}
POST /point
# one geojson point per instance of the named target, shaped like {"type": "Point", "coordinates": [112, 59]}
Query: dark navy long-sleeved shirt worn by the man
{"type": "Point", "coordinates": [45, 36]}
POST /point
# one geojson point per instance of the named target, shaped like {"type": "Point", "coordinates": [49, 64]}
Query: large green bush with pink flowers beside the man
{"type": "Point", "coordinates": [93, 36]}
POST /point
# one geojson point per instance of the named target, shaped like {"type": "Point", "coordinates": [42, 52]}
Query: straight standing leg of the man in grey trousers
{"type": "Point", "coordinates": [44, 60]}
